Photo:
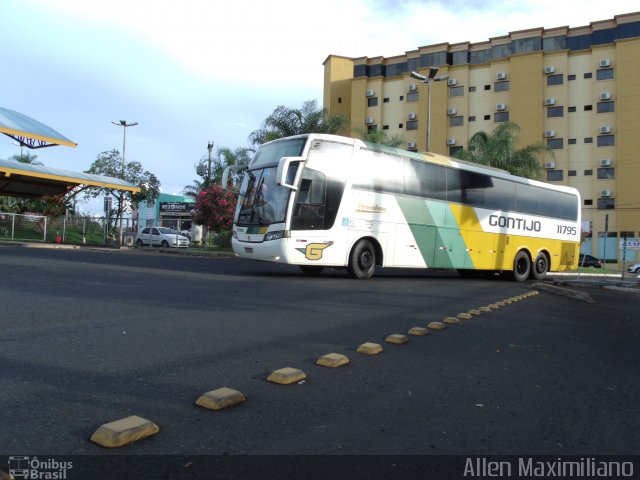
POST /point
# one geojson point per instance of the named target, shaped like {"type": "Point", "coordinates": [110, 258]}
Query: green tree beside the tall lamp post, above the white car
{"type": "Point", "coordinates": [110, 164]}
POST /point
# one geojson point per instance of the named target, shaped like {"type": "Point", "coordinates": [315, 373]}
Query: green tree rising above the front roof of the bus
{"type": "Point", "coordinates": [285, 121]}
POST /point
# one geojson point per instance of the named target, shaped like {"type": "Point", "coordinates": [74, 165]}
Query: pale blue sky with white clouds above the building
{"type": "Point", "coordinates": [196, 71]}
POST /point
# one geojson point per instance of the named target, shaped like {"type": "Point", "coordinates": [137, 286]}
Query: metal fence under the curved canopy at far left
{"type": "Point", "coordinates": [70, 229]}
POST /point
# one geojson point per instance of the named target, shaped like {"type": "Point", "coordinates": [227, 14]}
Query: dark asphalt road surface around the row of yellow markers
{"type": "Point", "coordinates": [89, 337]}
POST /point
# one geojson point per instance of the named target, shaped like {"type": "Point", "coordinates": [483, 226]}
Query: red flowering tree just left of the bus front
{"type": "Point", "coordinates": [215, 207]}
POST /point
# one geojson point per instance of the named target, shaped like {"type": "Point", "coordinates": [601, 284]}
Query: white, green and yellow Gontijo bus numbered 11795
{"type": "Point", "coordinates": [325, 201]}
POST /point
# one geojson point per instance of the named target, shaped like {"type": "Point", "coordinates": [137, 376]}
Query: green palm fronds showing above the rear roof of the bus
{"type": "Point", "coordinates": [498, 149]}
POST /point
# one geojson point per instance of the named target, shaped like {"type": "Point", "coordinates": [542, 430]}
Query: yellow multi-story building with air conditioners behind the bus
{"type": "Point", "coordinates": [576, 89]}
